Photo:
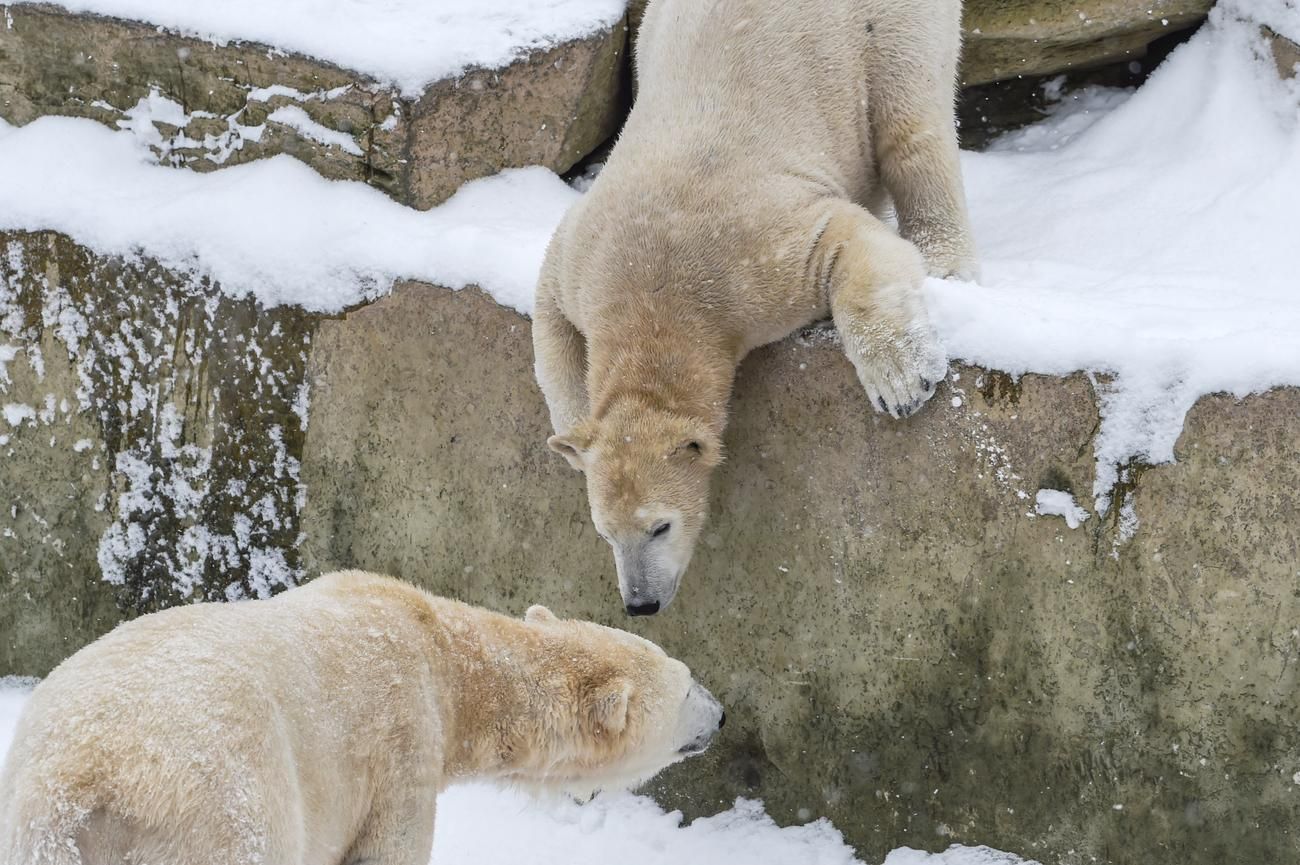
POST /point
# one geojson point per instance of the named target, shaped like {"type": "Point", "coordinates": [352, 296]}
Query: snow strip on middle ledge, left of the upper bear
{"type": "Point", "coordinates": [274, 227]}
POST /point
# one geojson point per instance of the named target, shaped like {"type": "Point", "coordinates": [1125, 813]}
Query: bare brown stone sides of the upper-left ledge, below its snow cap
{"type": "Point", "coordinates": [551, 109]}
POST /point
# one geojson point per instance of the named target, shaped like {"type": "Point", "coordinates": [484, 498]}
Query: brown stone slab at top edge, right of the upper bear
{"type": "Point", "coordinates": [1013, 38]}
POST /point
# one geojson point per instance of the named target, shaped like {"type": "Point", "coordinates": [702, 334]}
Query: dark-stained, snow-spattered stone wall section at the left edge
{"type": "Point", "coordinates": [149, 446]}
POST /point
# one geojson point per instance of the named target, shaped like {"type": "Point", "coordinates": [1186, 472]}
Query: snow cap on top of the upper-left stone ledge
{"type": "Point", "coordinates": [409, 44]}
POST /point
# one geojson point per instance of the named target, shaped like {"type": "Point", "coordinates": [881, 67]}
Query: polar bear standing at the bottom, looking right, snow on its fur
{"type": "Point", "coordinates": [319, 728]}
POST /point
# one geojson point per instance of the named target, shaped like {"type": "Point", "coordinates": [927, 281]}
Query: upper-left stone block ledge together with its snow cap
{"type": "Point", "coordinates": [414, 102]}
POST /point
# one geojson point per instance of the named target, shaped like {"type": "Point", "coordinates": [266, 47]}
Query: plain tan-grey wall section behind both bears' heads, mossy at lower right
{"type": "Point", "coordinates": [900, 645]}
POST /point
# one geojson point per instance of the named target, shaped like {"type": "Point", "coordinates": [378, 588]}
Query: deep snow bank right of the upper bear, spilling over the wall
{"type": "Point", "coordinates": [1149, 239]}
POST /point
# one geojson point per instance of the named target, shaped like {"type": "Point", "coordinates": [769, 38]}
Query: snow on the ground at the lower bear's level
{"type": "Point", "coordinates": [484, 825]}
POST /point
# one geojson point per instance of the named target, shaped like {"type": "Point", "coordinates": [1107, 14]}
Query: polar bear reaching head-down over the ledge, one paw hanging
{"type": "Point", "coordinates": [742, 202]}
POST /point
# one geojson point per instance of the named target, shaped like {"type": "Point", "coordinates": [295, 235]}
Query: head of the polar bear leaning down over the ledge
{"type": "Point", "coordinates": [648, 483]}
